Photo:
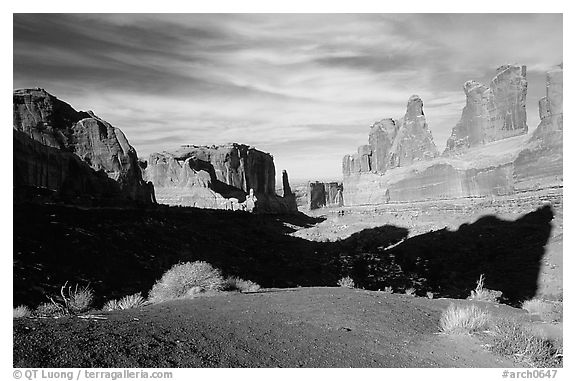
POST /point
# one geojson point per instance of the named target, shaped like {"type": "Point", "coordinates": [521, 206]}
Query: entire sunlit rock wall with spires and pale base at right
{"type": "Point", "coordinates": [487, 154]}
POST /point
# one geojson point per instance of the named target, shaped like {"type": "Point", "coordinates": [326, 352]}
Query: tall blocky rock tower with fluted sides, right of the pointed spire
{"type": "Point", "coordinates": [492, 113]}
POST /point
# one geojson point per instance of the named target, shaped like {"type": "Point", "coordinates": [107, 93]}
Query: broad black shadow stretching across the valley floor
{"type": "Point", "coordinates": [124, 251]}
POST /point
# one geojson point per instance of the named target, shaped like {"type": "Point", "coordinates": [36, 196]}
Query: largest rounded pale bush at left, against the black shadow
{"type": "Point", "coordinates": [186, 280]}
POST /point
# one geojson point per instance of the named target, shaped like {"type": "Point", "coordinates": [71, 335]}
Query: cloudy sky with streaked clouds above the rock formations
{"type": "Point", "coordinates": [303, 87]}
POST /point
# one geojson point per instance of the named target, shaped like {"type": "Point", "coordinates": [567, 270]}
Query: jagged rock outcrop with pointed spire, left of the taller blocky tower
{"type": "Point", "coordinates": [394, 143]}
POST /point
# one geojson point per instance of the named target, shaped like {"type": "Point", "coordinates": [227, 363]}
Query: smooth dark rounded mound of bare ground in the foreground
{"type": "Point", "coordinates": [303, 327]}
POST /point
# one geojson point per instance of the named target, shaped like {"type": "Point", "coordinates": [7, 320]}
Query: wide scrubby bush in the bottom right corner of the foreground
{"type": "Point", "coordinates": [512, 339]}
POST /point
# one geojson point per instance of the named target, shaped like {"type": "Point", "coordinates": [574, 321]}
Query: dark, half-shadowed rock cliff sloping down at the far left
{"type": "Point", "coordinates": [62, 131]}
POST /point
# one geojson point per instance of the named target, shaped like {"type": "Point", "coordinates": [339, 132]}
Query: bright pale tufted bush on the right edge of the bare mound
{"type": "Point", "coordinates": [463, 320]}
